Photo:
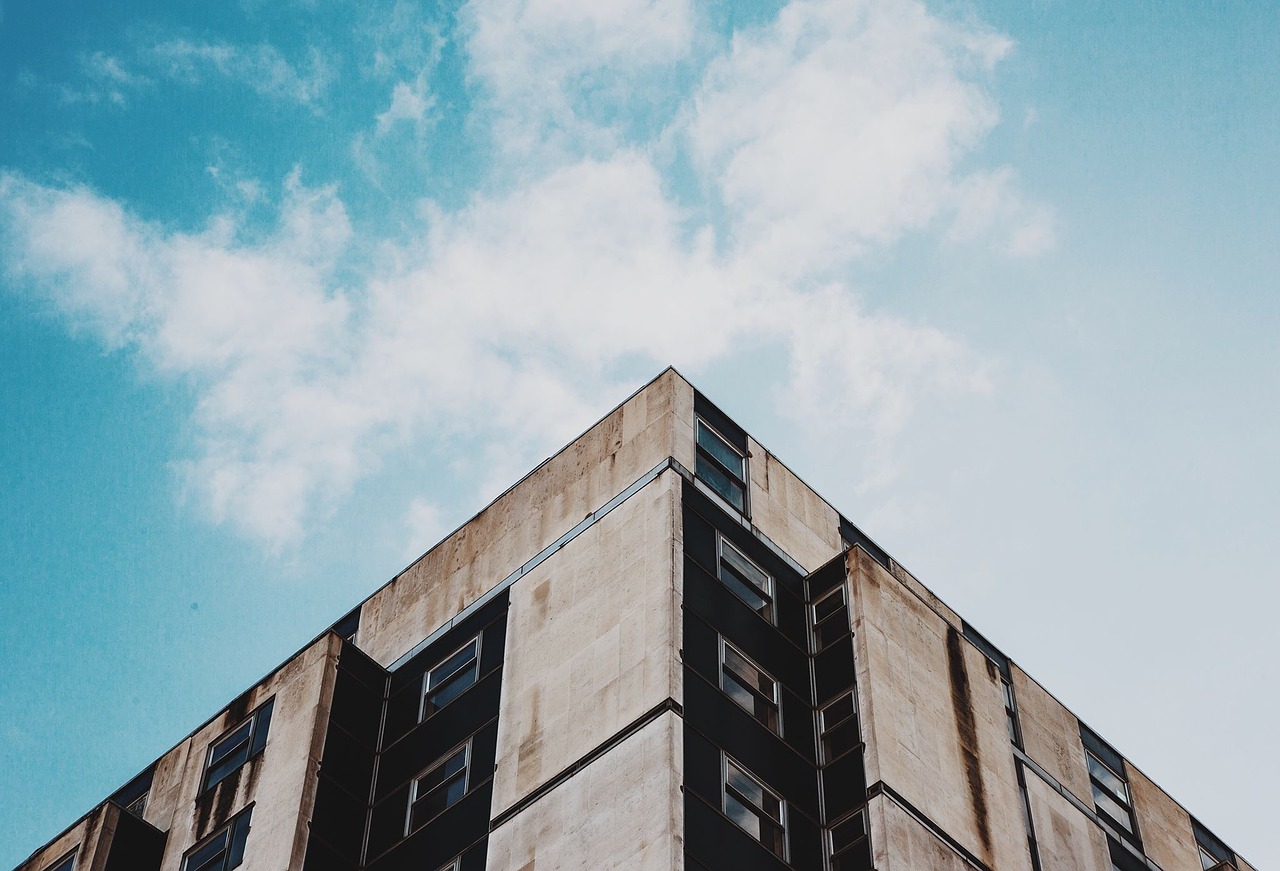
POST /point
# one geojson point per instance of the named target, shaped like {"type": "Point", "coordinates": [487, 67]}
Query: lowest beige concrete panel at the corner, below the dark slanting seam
{"type": "Point", "coordinates": [623, 811]}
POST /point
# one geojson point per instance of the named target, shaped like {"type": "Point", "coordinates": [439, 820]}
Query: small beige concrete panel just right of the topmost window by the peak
{"type": "Point", "coordinates": [789, 513]}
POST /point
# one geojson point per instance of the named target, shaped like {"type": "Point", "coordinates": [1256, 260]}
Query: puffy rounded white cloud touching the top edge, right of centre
{"type": "Point", "coordinates": [839, 126]}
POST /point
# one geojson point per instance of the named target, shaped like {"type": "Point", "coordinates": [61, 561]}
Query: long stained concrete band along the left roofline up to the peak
{"type": "Point", "coordinates": [648, 428]}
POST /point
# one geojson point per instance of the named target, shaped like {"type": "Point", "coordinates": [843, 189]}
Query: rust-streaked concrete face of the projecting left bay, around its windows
{"type": "Point", "coordinates": [280, 782]}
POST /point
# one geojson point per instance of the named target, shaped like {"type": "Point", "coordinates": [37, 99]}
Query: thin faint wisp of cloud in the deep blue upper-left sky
{"type": "Point", "coordinates": [259, 67]}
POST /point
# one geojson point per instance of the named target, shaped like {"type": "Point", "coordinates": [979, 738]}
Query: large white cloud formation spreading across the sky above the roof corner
{"type": "Point", "coordinates": [318, 349]}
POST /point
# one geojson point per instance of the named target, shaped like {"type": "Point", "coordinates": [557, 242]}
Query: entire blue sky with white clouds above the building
{"type": "Point", "coordinates": [290, 290]}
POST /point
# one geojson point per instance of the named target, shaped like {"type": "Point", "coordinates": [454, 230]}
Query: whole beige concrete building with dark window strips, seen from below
{"type": "Point", "coordinates": [660, 650]}
